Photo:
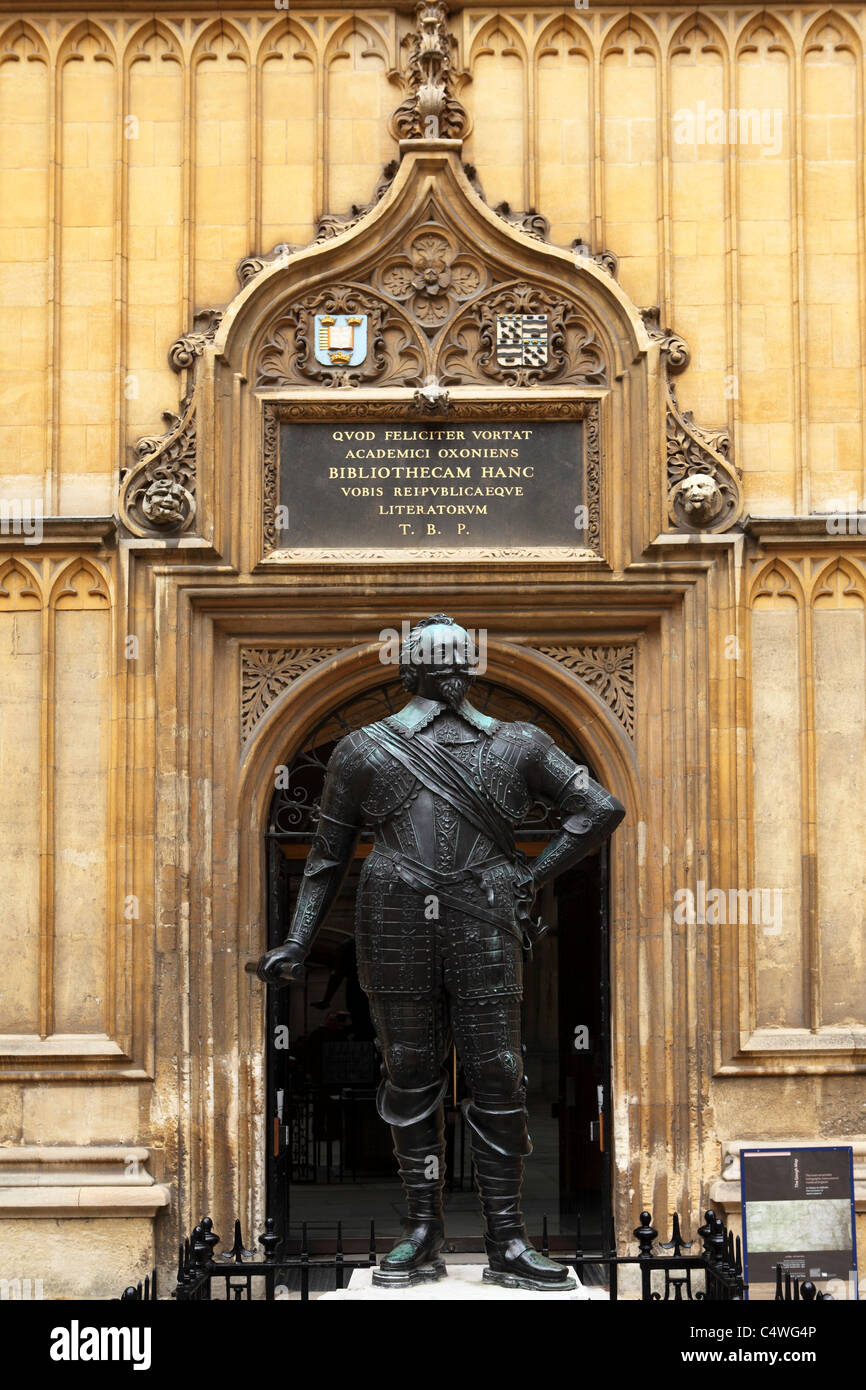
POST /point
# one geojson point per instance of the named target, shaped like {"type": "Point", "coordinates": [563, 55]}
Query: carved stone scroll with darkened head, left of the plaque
{"type": "Point", "coordinates": [158, 493]}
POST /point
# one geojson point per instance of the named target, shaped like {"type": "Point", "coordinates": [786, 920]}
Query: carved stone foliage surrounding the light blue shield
{"type": "Point", "coordinates": [394, 357]}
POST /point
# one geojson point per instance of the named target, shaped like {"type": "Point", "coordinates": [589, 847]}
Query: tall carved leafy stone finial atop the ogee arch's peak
{"type": "Point", "coordinates": [430, 109]}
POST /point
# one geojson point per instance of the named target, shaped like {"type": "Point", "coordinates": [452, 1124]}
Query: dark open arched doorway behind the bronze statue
{"type": "Point", "coordinates": [329, 1154]}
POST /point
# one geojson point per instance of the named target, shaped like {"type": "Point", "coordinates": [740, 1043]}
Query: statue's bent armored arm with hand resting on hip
{"type": "Point", "coordinates": [589, 814]}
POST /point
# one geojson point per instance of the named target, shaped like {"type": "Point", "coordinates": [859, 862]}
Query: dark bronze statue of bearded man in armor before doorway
{"type": "Point", "coordinates": [443, 924]}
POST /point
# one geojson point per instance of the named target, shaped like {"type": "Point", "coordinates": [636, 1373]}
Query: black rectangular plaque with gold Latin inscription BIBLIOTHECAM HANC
{"type": "Point", "coordinates": [426, 486]}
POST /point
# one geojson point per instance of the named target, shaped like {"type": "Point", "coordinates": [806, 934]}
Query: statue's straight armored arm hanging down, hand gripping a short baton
{"type": "Point", "coordinates": [340, 825]}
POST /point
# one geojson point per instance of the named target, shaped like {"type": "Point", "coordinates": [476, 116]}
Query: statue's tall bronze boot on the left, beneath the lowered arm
{"type": "Point", "coordinates": [420, 1153]}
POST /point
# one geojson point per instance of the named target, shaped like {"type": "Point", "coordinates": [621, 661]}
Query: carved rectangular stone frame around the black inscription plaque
{"type": "Point", "coordinates": [450, 411]}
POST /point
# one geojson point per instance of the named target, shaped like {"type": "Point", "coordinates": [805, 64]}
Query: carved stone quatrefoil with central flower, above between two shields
{"type": "Point", "coordinates": [433, 276]}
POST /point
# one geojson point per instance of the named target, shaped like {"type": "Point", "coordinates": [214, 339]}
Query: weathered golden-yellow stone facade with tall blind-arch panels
{"type": "Point", "coordinates": [703, 183]}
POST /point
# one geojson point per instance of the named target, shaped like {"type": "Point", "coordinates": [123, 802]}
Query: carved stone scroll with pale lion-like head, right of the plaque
{"type": "Point", "coordinates": [704, 484]}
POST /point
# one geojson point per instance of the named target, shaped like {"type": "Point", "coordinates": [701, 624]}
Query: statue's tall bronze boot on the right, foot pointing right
{"type": "Point", "coordinates": [500, 1143]}
